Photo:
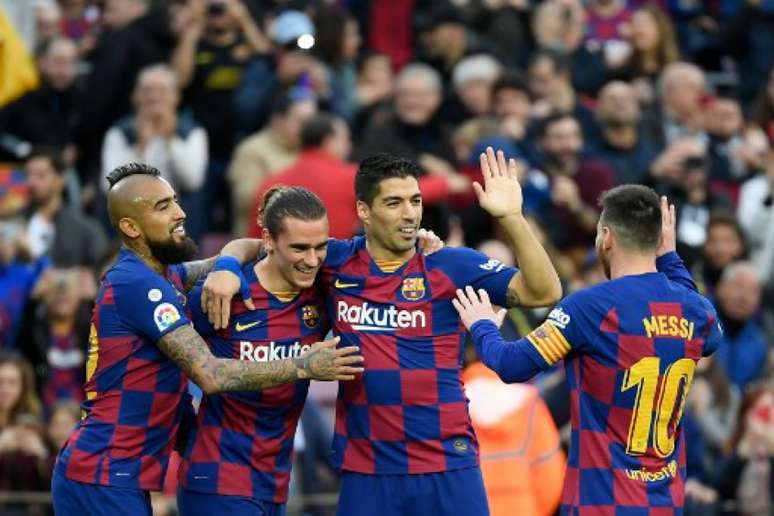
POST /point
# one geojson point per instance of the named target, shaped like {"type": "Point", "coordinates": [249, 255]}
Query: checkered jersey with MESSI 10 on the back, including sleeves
{"type": "Point", "coordinates": [630, 348]}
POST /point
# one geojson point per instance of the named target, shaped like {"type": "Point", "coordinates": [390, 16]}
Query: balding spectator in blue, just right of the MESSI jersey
{"type": "Point", "coordinates": [743, 348]}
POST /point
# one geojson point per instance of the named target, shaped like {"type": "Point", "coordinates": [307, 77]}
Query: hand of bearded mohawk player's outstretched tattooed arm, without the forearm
{"type": "Point", "coordinates": [324, 362]}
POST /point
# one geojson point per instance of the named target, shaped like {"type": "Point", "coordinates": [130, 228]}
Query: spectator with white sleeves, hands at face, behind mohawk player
{"type": "Point", "coordinates": [156, 134]}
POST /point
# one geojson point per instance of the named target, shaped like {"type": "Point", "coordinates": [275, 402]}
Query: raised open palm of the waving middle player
{"type": "Point", "coordinates": [501, 194]}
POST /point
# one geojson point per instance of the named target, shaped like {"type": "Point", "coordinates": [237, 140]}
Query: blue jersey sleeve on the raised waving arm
{"type": "Point", "coordinates": [468, 267]}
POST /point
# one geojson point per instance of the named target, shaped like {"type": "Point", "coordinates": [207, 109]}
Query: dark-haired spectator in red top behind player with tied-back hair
{"type": "Point", "coordinates": [321, 168]}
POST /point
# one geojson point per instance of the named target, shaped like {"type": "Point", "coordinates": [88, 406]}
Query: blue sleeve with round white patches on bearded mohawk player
{"type": "Point", "coordinates": [149, 305]}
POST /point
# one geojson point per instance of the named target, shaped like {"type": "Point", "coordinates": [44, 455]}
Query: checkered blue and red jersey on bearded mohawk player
{"type": "Point", "coordinates": [135, 396]}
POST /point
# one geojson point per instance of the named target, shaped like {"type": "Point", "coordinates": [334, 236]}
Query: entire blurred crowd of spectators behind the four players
{"type": "Point", "coordinates": [228, 97]}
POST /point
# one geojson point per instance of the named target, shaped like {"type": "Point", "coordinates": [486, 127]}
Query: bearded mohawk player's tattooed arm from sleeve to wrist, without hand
{"type": "Point", "coordinates": [189, 351]}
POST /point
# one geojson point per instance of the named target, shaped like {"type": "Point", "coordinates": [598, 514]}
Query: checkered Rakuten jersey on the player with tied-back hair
{"type": "Point", "coordinates": [242, 442]}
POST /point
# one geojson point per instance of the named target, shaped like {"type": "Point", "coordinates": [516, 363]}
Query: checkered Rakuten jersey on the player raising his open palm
{"type": "Point", "coordinates": [407, 413]}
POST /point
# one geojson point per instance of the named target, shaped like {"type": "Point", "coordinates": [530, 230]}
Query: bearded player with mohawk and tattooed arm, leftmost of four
{"type": "Point", "coordinates": [142, 351]}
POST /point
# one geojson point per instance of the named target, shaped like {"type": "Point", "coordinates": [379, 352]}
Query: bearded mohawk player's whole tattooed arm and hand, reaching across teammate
{"type": "Point", "coordinates": [190, 352]}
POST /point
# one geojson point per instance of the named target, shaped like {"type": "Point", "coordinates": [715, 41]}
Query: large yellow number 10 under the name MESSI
{"type": "Point", "coordinates": [668, 409]}
